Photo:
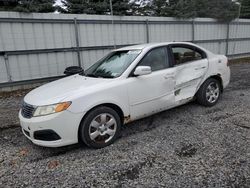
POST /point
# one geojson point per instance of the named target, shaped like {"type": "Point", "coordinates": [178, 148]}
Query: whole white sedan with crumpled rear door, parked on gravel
{"type": "Point", "coordinates": [128, 84]}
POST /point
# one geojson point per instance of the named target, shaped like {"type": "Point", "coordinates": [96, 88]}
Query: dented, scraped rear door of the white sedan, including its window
{"type": "Point", "coordinates": [191, 65]}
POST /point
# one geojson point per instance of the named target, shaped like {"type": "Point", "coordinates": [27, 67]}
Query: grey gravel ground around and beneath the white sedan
{"type": "Point", "coordinates": [189, 146]}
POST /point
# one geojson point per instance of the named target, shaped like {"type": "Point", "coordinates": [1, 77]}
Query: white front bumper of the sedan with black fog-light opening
{"type": "Point", "coordinates": [55, 130]}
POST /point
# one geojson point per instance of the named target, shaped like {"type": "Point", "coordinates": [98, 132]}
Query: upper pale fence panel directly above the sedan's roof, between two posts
{"type": "Point", "coordinates": [170, 32]}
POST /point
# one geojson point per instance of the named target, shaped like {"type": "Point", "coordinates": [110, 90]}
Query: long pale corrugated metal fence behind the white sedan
{"type": "Point", "coordinates": [35, 47]}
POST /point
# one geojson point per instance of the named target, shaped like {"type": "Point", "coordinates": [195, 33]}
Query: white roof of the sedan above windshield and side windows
{"type": "Point", "coordinates": [151, 45]}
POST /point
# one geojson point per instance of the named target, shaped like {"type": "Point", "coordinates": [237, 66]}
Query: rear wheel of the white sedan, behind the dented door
{"type": "Point", "coordinates": [209, 92]}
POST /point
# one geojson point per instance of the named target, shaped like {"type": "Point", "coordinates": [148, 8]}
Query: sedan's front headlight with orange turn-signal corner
{"type": "Point", "coordinates": [51, 109]}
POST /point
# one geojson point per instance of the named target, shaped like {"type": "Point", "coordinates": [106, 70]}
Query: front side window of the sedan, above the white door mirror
{"type": "Point", "coordinates": [156, 59]}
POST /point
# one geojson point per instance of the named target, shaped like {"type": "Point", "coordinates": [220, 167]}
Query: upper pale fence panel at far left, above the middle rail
{"type": "Point", "coordinates": [30, 36]}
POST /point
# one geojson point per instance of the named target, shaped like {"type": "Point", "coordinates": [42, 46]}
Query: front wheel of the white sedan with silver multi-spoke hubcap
{"type": "Point", "coordinates": [100, 127]}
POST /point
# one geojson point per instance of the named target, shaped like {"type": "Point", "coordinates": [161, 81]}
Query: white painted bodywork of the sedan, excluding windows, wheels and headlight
{"type": "Point", "coordinates": [136, 97]}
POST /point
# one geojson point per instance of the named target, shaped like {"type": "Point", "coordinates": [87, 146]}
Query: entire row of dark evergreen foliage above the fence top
{"type": "Point", "coordinates": [222, 10]}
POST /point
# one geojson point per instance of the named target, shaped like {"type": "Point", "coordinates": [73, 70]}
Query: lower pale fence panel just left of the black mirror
{"type": "Point", "coordinates": [32, 66]}
